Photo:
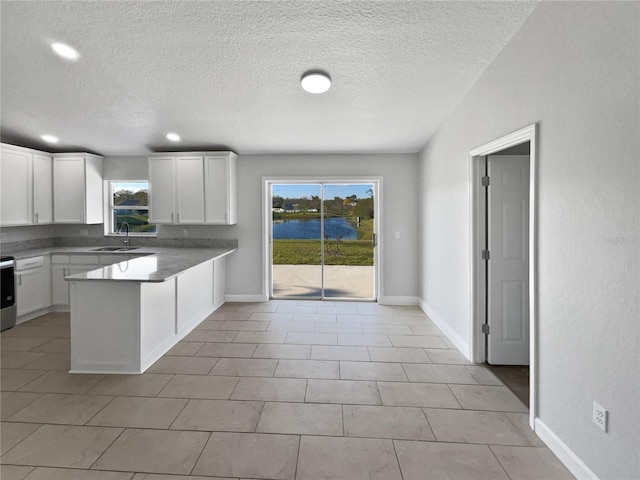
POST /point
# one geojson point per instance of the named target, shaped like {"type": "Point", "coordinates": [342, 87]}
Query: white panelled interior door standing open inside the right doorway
{"type": "Point", "coordinates": [508, 266]}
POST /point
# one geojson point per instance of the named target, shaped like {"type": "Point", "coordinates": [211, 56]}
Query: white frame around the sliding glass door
{"type": "Point", "coordinates": [267, 182]}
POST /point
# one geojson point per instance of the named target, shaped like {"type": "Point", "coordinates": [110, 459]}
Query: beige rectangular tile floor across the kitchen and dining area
{"type": "Point", "coordinates": [278, 390]}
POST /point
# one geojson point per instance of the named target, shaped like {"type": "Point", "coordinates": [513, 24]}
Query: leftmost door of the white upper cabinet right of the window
{"type": "Point", "coordinates": [161, 190]}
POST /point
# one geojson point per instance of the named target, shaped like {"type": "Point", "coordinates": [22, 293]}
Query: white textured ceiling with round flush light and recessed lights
{"type": "Point", "coordinates": [225, 74]}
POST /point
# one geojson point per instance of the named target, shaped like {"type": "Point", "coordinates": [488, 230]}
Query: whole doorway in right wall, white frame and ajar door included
{"type": "Point", "coordinates": [504, 288]}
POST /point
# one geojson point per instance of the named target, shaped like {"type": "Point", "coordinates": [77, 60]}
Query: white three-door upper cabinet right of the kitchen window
{"type": "Point", "coordinates": [192, 188]}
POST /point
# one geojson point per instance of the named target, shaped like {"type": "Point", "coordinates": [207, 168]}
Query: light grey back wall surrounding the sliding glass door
{"type": "Point", "coordinates": [400, 213]}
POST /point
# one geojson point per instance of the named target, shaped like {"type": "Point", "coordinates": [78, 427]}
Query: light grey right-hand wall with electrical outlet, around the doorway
{"type": "Point", "coordinates": [574, 68]}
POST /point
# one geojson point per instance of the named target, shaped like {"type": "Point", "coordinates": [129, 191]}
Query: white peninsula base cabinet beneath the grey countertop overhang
{"type": "Point", "coordinates": [124, 326]}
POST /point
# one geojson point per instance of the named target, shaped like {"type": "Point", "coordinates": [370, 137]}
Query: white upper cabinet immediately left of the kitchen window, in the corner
{"type": "Point", "coordinates": [77, 188]}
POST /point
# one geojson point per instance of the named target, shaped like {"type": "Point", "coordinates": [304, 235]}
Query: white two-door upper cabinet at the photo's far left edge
{"type": "Point", "coordinates": [26, 187]}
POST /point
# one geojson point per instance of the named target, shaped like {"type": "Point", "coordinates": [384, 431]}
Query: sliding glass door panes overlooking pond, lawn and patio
{"type": "Point", "coordinates": [323, 239]}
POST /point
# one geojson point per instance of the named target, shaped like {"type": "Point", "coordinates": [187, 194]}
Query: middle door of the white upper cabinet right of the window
{"type": "Point", "coordinates": [190, 190]}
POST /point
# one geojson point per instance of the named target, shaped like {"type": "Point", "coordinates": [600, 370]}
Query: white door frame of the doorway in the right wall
{"type": "Point", "coordinates": [477, 264]}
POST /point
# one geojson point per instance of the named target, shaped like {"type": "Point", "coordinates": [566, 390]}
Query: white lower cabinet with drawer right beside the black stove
{"type": "Point", "coordinates": [33, 285]}
